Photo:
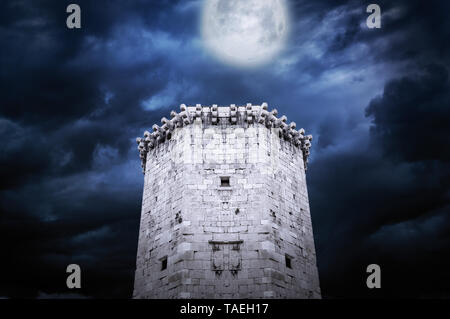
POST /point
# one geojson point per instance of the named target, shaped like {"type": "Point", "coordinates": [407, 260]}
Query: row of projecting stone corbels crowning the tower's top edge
{"type": "Point", "coordinates": [241, 116]}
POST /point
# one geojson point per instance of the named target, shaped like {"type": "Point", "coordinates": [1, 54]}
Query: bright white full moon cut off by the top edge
{"type": "Point", "coordinates": [244, 32]}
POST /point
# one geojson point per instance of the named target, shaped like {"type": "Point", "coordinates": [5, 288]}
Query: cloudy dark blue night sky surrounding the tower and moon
{"type": "Point", "coordinates": [72, 102]}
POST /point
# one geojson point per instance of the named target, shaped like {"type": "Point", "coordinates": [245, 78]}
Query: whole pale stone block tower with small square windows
{"type": "Point", "coordinates": [225, 210]}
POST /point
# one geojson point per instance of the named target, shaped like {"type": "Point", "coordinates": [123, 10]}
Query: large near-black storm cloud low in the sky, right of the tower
{"type": "Point", "coordinates": [389, 195]}
